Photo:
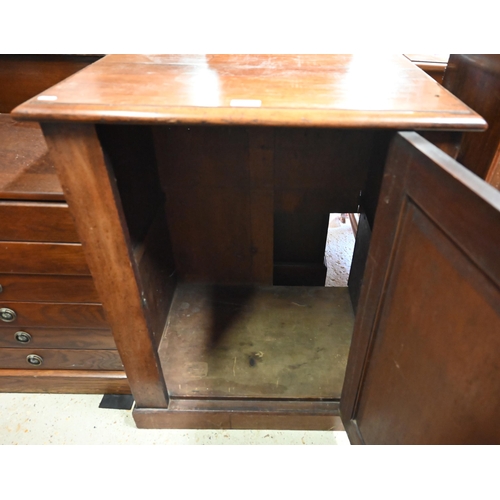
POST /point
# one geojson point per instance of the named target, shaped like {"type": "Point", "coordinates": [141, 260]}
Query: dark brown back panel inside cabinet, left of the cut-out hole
{"type": "Point", "coordinates": [218, 183]}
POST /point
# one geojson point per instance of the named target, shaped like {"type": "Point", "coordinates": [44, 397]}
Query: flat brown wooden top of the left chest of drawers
{"type": "Point", "coordinates": [27, 170]}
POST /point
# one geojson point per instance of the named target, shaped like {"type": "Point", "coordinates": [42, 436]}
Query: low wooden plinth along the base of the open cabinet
{"type": "Point", "coordinates": [241, 414]}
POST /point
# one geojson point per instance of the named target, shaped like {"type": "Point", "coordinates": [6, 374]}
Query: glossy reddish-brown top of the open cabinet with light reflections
{"type": "Point", "coordinates": [284, 90]}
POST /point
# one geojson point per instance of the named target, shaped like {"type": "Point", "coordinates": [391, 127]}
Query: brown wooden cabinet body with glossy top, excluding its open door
{"type": "Point", "coordinates": [201, 187]}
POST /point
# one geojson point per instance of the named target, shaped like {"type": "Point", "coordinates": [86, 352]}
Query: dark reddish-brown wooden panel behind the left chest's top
{"type": "Point", "coordinates": [23, 76]}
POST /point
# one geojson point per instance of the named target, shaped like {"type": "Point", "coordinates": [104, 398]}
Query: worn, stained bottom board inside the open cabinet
{"type": "Point", "coordinates": [257, 342]}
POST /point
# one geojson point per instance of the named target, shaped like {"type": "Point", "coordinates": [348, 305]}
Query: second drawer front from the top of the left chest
{"type": "Point", "coordinates": [42, 258]}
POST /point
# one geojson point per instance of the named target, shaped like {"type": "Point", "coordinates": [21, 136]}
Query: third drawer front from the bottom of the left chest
{"type": "Point", "coordinates": [45, 314]}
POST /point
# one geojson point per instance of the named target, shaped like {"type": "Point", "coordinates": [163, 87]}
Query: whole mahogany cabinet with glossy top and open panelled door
{"type": "Point", "coordinates": [201, 187]}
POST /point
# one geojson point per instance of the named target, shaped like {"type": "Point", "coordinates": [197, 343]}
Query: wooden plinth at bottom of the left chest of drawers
{"type": "Point", "coordinates": [64, 381]}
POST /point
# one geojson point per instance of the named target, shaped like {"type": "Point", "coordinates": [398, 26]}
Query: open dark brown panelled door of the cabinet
{"type": "Point", "coordinates": [424, 365]}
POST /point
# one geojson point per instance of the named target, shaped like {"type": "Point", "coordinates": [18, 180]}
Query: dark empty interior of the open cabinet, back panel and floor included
{"type": "Point", "coordinates": [228, 226]}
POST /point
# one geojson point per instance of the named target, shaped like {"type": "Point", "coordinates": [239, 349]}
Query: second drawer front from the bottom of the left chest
{"type": "Point", "coordinates": [56, 338]}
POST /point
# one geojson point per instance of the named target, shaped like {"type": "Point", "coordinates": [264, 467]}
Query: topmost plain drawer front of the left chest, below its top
{"type": "Point", "coordinates": [31, 221]}
